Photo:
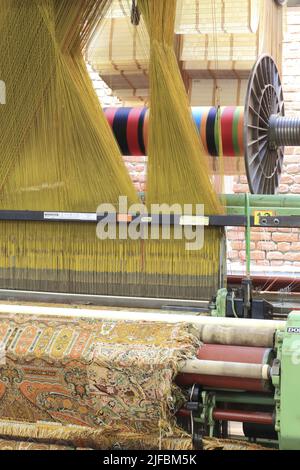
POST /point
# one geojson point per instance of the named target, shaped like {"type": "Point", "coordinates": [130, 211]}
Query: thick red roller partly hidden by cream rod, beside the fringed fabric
{"type": "Point", "coordinates": [240, 354]}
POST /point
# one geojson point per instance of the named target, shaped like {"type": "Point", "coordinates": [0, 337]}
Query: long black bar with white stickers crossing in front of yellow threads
{"type": "Point", "coordinates": [156, 219]}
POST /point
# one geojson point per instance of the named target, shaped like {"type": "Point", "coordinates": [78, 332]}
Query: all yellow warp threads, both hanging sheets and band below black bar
{"type": "Point", "coordinates": [58, 154]}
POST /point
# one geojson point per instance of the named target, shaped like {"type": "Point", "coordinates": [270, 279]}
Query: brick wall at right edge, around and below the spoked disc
{"type": "Point", "coordinates": [276, 250]}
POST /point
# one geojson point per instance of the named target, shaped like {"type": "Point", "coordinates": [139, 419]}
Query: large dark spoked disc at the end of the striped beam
{"type": "Point", "coordinates": [264, 98]}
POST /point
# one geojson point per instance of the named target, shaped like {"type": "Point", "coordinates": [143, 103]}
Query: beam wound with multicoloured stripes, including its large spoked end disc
{"type": "Point", "coordinates": [259, 131]}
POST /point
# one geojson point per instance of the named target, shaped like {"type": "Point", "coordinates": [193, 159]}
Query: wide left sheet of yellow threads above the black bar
{"type": "Point", "coordinates": [57, 149]}
